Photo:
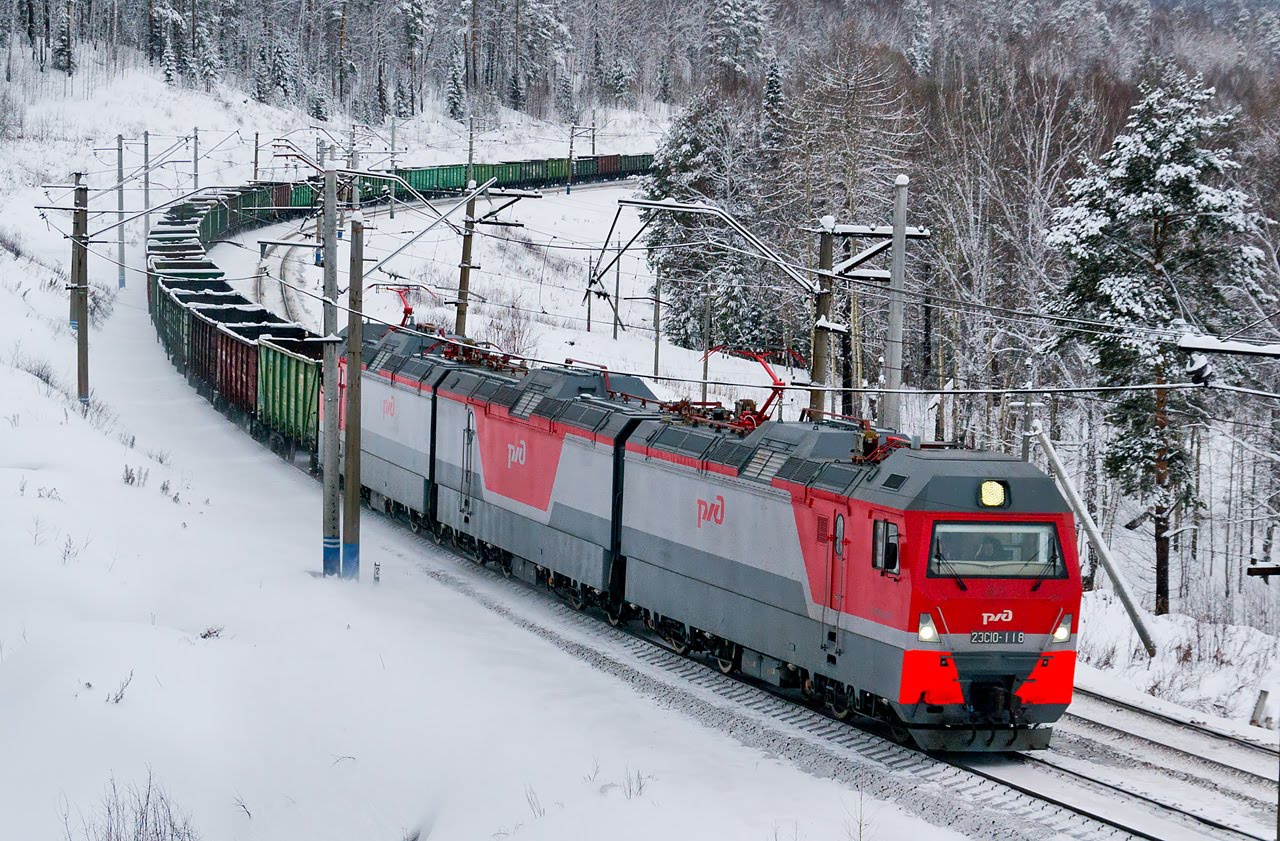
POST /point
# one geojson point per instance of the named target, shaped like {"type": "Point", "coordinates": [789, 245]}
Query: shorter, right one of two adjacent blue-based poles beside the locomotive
{"type": "Point", "coordinates": [355, 362]}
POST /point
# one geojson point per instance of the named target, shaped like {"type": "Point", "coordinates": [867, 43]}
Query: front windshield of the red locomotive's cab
{"type": "Point", "coordinates": [996, 551]}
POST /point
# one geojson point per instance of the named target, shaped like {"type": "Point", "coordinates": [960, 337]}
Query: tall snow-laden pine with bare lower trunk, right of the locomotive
{"type": "Point", "coordinates": [1151, 241]}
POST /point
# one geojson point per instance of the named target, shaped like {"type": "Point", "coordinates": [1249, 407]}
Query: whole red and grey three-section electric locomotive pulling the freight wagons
{"type": "Point", "coordinates": [934, 589]}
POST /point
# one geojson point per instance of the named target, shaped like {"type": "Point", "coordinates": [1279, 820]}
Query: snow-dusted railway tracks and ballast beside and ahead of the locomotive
{"type": "Point", "coordinates": [1011, 797]}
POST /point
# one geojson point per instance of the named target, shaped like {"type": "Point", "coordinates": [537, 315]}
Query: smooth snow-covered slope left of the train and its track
{"type": "Point", "coordinates": [161, 614]}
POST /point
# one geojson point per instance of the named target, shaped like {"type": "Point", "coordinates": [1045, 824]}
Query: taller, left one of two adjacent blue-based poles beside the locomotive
{"type": "Point", "coordinates": [330, 505]}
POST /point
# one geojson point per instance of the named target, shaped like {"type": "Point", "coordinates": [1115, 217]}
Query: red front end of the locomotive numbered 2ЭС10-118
{"type": "Point", "coordinates": [995, 606]}
